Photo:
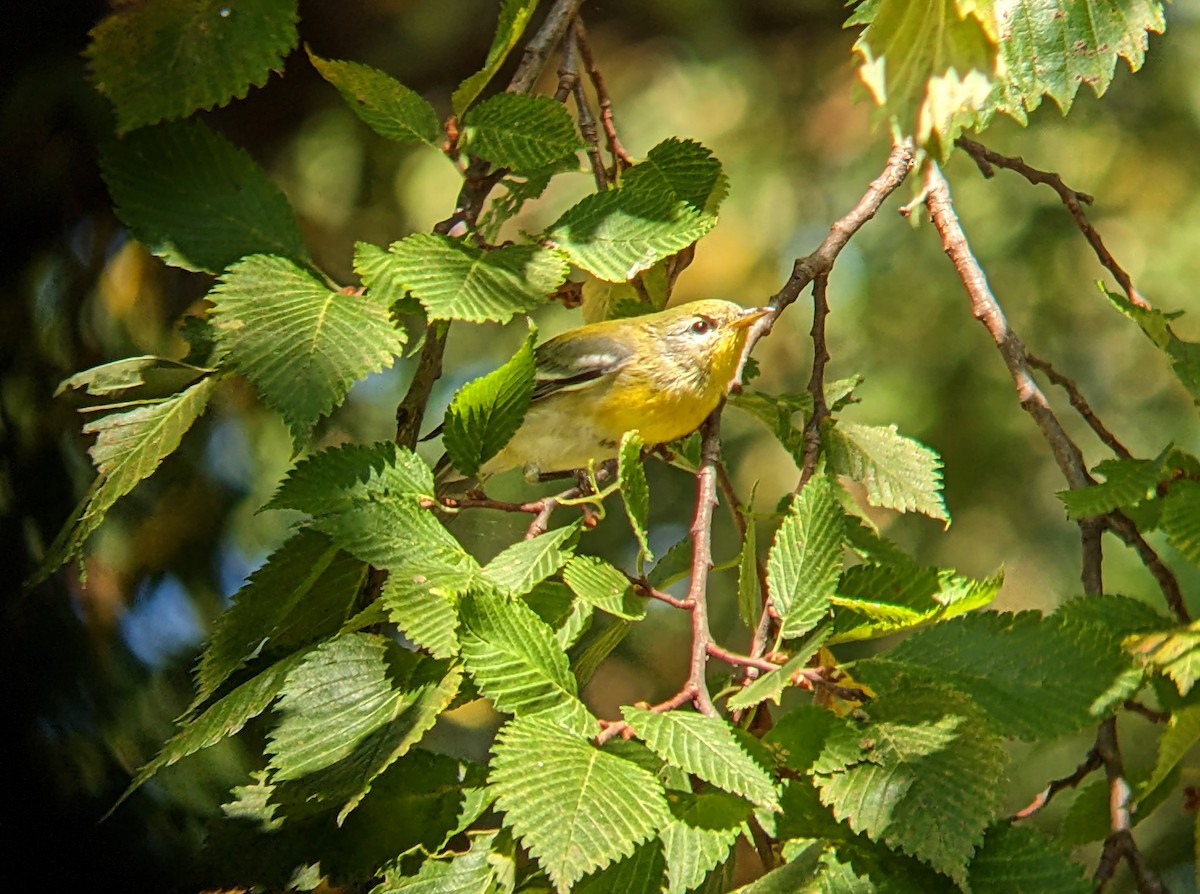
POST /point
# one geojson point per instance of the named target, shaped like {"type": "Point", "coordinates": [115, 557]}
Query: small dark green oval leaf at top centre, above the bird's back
{"type": "Point", "coordinates": [520, 133]}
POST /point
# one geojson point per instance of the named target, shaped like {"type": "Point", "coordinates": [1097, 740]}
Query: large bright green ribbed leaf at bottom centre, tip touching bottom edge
{"type": "Point", "coordinates": [575, 808]}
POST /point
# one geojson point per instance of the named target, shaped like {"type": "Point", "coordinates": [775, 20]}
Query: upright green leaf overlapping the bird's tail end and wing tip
{"type": "Point", "coordinates": [488, 412]}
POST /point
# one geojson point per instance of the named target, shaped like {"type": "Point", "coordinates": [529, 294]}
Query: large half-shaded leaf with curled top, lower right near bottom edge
{"type": "Point", "coordinates": [923, 775]}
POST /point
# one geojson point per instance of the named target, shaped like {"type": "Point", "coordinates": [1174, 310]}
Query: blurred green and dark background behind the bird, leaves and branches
{"type": "Point", "coordinates": [98, 673]}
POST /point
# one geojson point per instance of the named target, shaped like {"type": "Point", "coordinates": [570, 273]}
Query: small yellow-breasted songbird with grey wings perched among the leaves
{"type": "Point", "coordinates": [661, 374]}
